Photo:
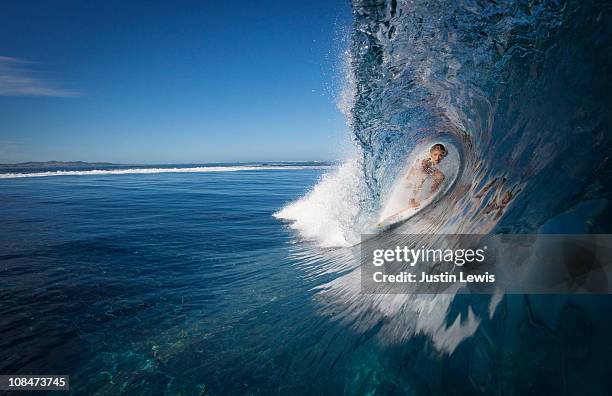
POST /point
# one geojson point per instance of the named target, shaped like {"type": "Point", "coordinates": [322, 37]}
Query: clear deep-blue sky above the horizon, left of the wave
{"type": "Point", "coordinates": [157, 82]}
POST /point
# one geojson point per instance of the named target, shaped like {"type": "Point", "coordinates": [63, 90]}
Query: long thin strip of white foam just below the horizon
{"type": "Point", "coordinates": [198, 169]}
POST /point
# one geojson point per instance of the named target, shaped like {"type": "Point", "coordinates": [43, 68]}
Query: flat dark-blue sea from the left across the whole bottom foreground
{"type": "Point", "coordinates": [165, 284]}
